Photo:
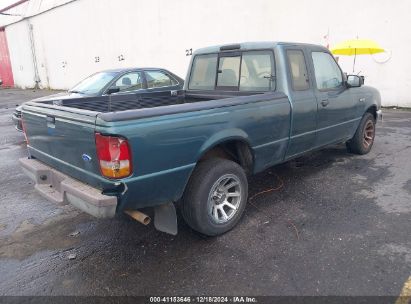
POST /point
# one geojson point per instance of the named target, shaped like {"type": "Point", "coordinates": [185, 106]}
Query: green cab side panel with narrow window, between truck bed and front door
{"type": "Point", "coordinates": [301, 94]}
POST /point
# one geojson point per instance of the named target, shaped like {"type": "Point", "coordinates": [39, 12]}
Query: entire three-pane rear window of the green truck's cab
{"type": "Point", "coordinates": [239, 71]}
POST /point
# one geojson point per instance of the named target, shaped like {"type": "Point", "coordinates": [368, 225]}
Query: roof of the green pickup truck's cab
{"type": "Point", "coordinates": [251, 46]}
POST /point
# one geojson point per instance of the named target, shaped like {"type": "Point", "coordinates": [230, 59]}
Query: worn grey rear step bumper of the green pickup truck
{"type": "Point", "coordinates": [60, 188]}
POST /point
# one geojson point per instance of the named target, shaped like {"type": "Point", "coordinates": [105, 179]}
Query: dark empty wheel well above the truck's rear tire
{"type": "Point", "coordinates": [235, 150]}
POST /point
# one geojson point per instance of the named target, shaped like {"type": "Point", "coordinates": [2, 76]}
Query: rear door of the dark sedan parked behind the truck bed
{"type": "Point", "coordinates": [162, 89]}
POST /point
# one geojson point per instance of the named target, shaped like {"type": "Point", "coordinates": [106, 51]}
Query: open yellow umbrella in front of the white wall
{"type": "Point", "coordinates": [357, 47]}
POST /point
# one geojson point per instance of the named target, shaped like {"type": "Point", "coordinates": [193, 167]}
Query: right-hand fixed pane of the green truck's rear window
{"type": "Point", "coordinates": [257, 71]}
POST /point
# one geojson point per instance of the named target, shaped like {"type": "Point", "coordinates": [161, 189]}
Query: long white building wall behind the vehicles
{"type": "Point", "coordinates": [68, 39]}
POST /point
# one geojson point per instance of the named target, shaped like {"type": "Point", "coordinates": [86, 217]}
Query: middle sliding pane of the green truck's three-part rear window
{"type": "Point", "coordinates": [229, 72]}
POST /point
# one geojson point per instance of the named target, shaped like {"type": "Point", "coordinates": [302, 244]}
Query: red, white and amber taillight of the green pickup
{"type": "Point", "coordinates": [114, 156]}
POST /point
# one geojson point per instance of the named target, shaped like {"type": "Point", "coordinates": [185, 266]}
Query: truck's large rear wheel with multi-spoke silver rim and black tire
{"type": "Point", "coordinates": [202, 201]}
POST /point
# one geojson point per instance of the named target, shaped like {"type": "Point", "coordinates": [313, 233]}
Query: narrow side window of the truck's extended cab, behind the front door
{"type": "Point", "coordinates": [299, 74]}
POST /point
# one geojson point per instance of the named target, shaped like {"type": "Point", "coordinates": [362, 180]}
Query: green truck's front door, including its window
{"type": "Point", "coordinates": [337, 113]}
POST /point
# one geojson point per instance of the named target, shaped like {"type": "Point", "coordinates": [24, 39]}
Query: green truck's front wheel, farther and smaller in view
{"type": "Point", "coordinates": [363, 139]}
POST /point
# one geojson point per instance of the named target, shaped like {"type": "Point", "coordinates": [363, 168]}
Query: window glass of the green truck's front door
{"type": "Point", "coordinates": [327, 73]}
